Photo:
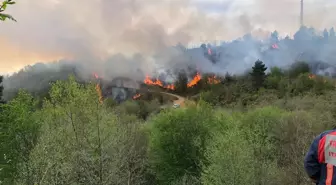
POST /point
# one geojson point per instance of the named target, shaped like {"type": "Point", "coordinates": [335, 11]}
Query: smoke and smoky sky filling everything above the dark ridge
{"type": "Point", "coordinates": [133, 37]}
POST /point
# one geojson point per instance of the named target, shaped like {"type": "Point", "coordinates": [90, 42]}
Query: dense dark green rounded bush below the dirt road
{"type": "Point", "coordinates": [178, 140]}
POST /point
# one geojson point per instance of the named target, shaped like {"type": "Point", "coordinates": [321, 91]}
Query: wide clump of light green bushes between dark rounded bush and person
{"type": "Point", "coordinates": [262, 146]}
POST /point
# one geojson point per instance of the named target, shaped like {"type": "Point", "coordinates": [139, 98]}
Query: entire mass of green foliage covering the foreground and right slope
{"type": "Point", "coordinates": [249, 129]}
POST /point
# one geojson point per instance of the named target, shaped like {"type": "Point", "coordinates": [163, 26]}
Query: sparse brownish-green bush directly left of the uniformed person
{"type": "Point", "coordinates": [292, 138]}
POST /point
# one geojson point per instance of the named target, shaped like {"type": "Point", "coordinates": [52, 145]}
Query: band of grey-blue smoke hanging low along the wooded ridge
{"type": "Point", "coordinates": [233, 57]}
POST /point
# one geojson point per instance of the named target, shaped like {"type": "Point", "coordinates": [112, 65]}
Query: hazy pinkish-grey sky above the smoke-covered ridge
{"type": "Point", "coordinates": [49, 30]}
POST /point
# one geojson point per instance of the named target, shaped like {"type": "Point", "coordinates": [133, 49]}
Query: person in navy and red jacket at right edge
{"type": "Point", "coordinates": [320, 161]}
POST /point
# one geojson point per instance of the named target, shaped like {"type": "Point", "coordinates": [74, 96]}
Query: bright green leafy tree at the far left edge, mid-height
{"type": "Point", "coordinates": [19, 127]}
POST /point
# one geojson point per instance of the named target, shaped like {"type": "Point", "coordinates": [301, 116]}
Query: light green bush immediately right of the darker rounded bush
{"type": "Point", "coordinates": [245, 152]}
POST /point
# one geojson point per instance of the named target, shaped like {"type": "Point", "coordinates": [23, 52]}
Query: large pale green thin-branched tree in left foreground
{"type": "Point", "coordinates": [83, 142]}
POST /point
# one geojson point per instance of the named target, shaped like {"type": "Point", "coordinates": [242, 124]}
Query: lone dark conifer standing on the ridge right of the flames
{"type": "Point", "coordinates": [258, 74]}
